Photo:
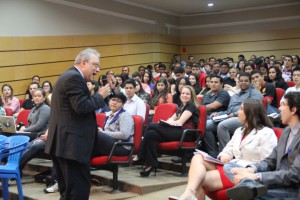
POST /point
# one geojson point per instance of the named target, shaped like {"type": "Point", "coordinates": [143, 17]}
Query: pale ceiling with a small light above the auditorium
{"type": "Point", "coordinates": [193, 7]}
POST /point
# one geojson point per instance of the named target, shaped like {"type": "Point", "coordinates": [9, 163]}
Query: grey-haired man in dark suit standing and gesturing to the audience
{"type": "Point", "coordinates": [72, 127]}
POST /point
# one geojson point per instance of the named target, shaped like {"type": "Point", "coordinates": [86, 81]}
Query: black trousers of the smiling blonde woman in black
{"type": "Point", "coordinates": [157, 133]}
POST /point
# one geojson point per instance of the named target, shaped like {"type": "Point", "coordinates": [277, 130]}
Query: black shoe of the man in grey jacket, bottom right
{"type": "Point", "coordinates": [247, 190]}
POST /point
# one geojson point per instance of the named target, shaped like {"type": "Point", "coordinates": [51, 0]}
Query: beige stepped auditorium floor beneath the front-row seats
{"type": "Point", "coordinates": [134, 187]}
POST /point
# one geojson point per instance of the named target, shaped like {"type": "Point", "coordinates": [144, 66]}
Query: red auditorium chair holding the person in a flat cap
{"type": "Point", "coordinates": [111, 162]}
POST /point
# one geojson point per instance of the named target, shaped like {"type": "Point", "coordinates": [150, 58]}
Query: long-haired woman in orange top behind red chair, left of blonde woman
{"type": "Point", "coordinates": [160, 95]}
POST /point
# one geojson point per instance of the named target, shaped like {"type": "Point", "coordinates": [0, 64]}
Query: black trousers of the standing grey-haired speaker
{"type": "Point", "coordinates": [73, 179]}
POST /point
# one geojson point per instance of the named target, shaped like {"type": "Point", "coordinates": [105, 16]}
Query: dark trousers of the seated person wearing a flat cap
{"type": "Point", "coordinates": [105, 144]}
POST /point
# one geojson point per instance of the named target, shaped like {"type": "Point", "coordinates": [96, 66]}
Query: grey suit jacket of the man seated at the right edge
{"type": "Point", "coordinates": [282, 169]}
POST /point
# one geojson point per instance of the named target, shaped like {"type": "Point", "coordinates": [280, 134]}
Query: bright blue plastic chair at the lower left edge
{"type": "Point", "coordinates": [12, 151]}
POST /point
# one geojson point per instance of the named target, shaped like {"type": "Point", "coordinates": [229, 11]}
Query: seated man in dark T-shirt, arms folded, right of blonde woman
{"type": "Point", "coordinates": [216, 99]}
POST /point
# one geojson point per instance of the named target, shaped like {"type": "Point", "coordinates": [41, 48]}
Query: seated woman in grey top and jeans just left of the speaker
{"type": "Point", "coordinates": [38, 123]}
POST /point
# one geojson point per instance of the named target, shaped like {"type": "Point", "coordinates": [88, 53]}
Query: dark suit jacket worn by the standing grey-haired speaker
{"type": "Point", "coordinates": [72, 126]}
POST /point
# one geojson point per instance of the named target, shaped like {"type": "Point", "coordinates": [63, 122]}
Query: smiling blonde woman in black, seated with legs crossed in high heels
{"type": "Point", "coordinates": [186, 117]}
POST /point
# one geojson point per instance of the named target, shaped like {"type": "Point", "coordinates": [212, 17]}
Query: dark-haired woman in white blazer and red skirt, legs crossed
{"type": "Point", "coordinates": [249, 144]}
